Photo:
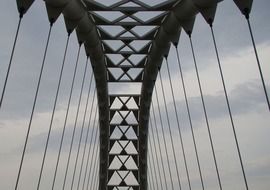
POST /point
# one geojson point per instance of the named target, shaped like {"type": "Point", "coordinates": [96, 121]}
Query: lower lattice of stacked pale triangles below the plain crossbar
{"type": "Point", "coordinates": [123, 144]}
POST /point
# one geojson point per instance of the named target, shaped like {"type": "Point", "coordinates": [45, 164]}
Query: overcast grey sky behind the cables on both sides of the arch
{"type": "Point", "coordinates": [244, 86]}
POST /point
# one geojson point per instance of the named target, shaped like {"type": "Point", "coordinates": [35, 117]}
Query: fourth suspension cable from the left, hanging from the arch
{"type": "Point", "coordinates": [66, 116]}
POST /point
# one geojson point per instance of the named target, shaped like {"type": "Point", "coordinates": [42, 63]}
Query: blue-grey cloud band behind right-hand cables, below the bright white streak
{"type": "Point", "coordinates": [245, 98]}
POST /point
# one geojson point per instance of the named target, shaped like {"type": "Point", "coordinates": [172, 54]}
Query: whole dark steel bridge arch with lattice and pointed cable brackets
{"type": "Point", "coordinates": [126, 41]}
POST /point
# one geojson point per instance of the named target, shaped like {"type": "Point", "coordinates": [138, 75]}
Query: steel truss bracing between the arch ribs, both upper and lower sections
{"type": "Point", "coordinates": [127, 30]}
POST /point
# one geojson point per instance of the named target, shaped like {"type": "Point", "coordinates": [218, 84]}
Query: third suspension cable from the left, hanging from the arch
{"type": "Point", "coordinates": [53, 112]}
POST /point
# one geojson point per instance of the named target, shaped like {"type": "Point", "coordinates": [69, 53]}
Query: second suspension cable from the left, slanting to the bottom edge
{"type": "Point", "coordinates": [34, 106]}
